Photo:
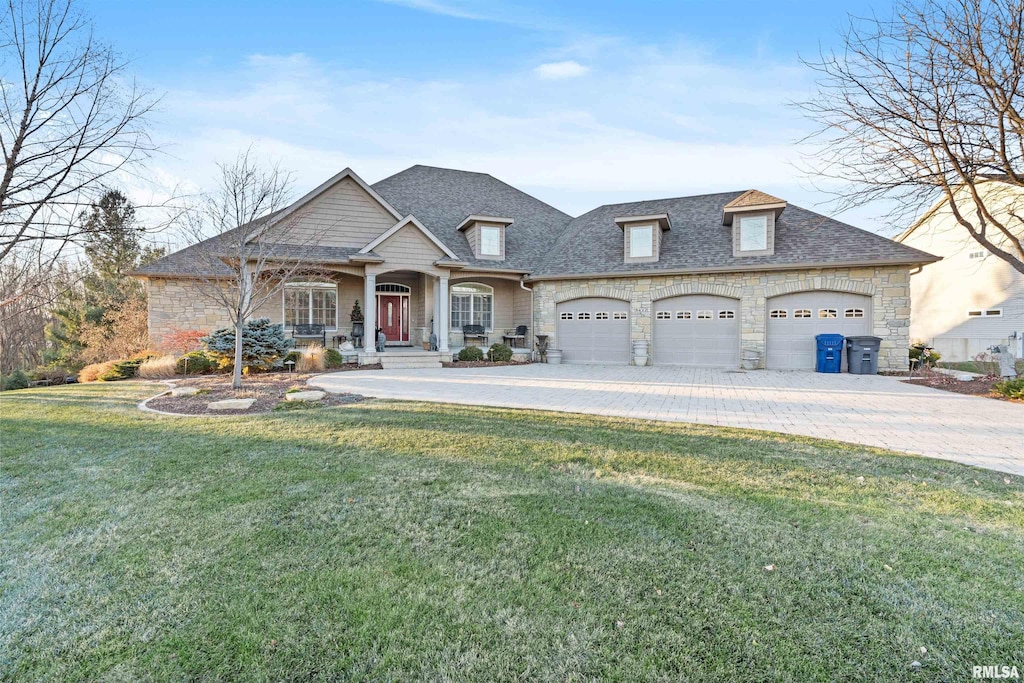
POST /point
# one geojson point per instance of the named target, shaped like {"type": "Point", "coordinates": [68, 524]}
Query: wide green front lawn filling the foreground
{"type": "Point", "coordinates": [390, 541]}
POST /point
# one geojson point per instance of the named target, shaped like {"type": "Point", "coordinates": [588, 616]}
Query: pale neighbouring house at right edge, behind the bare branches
{"type": "Point", "coordinates": [970, 301]}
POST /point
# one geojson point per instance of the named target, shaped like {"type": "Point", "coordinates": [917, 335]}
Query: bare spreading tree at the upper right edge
{"type": "Point", "coordinates": [929, 106]}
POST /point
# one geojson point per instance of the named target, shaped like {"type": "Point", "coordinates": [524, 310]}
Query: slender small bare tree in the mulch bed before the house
{"type": "Point", "coordinates": [258, 243]}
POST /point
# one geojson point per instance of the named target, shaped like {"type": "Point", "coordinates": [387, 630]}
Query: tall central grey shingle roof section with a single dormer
{"type": "Point", "coordinates": [443, 198]}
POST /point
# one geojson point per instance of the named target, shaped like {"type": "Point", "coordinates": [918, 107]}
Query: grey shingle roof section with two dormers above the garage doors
{"type": "Point", "coordinates": [593, 244]}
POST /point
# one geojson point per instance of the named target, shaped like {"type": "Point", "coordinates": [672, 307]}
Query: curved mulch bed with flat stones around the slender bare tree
{"type": "Point", "coordinates": [269, 391]}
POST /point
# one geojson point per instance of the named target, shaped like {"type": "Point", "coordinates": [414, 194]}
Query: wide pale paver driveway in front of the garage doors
{"type": "Point", "coordinates": [875, 411]}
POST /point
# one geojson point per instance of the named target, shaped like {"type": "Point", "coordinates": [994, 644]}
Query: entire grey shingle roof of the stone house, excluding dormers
{"type": "Point", "coordinates": [547, 242]}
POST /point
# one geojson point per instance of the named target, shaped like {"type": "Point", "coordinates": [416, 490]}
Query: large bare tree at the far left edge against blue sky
{"type": "Point", "coordinates": [68, 122]}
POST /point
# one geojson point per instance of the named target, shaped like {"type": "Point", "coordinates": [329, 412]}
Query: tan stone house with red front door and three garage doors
{"type": "Point", "coordinates": [702, 280]}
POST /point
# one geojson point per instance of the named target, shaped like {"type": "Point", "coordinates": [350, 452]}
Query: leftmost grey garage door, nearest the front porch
{"type": "Point", "coordinates": [593, 331]}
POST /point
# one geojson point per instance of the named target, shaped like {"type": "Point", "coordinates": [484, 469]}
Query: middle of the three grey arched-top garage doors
{"type": "Point", "coordinates": [700, 331]}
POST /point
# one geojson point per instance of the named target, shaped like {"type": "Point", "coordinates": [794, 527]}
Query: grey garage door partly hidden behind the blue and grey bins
{"type": "Point", "coordinates": [794, 320]}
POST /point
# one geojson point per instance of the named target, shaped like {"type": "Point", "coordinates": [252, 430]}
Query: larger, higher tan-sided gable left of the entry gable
{"type": "Point", "coordinates": [343, 216]}
